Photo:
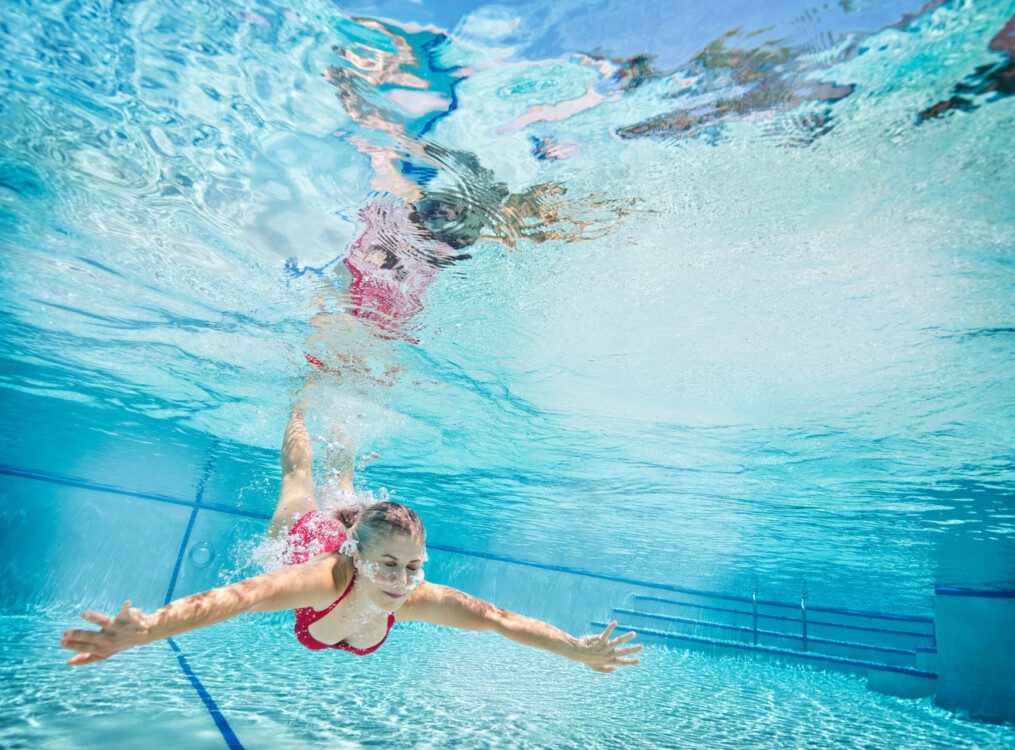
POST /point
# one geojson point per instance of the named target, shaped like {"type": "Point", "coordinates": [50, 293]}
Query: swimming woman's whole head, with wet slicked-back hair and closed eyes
{"type": "Point", "coordinates": [389, 553]}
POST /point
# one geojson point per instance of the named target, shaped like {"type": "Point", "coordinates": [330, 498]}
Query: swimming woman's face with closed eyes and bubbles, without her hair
{"type": "Point", "coordinates": [390, 570]}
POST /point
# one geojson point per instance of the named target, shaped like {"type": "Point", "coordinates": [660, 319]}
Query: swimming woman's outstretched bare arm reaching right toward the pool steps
{"type": "Point", "coordinates": [446, 606]}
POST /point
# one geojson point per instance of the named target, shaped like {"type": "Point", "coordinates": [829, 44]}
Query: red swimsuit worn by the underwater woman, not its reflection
{"type": "Point", "coordinates": [312, 535]}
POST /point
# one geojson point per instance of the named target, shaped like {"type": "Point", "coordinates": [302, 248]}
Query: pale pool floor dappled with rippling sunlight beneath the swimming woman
{"type": "Point", "coordinates": [434, 689]}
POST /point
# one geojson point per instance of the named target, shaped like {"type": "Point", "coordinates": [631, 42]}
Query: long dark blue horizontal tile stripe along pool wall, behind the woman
{"type": "Point", "coordinates": [219, 508]}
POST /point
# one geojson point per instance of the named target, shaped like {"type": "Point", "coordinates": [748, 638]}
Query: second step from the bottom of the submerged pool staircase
{"type": "Point", "coordinates": [766, 638]}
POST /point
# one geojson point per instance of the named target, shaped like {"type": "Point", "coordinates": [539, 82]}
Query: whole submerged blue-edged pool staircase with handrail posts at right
{"type": "Point", "coordinates": [896, 653]}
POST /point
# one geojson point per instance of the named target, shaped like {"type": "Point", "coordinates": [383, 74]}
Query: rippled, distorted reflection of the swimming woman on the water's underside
{"type": "Point", "coordinates": [440, 201]}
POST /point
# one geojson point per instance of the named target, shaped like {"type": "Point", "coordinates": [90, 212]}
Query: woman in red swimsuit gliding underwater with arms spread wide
{"type": "Point", "coordinates": [350, 576]}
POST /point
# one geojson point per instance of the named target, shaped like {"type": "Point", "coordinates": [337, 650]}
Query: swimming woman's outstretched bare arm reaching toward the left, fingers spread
{"type": "Point", "coordinates": [289, 588]}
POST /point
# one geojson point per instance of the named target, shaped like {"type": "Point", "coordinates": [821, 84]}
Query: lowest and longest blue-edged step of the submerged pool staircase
{"type": "Point", "coordinates": [900, 680]}
